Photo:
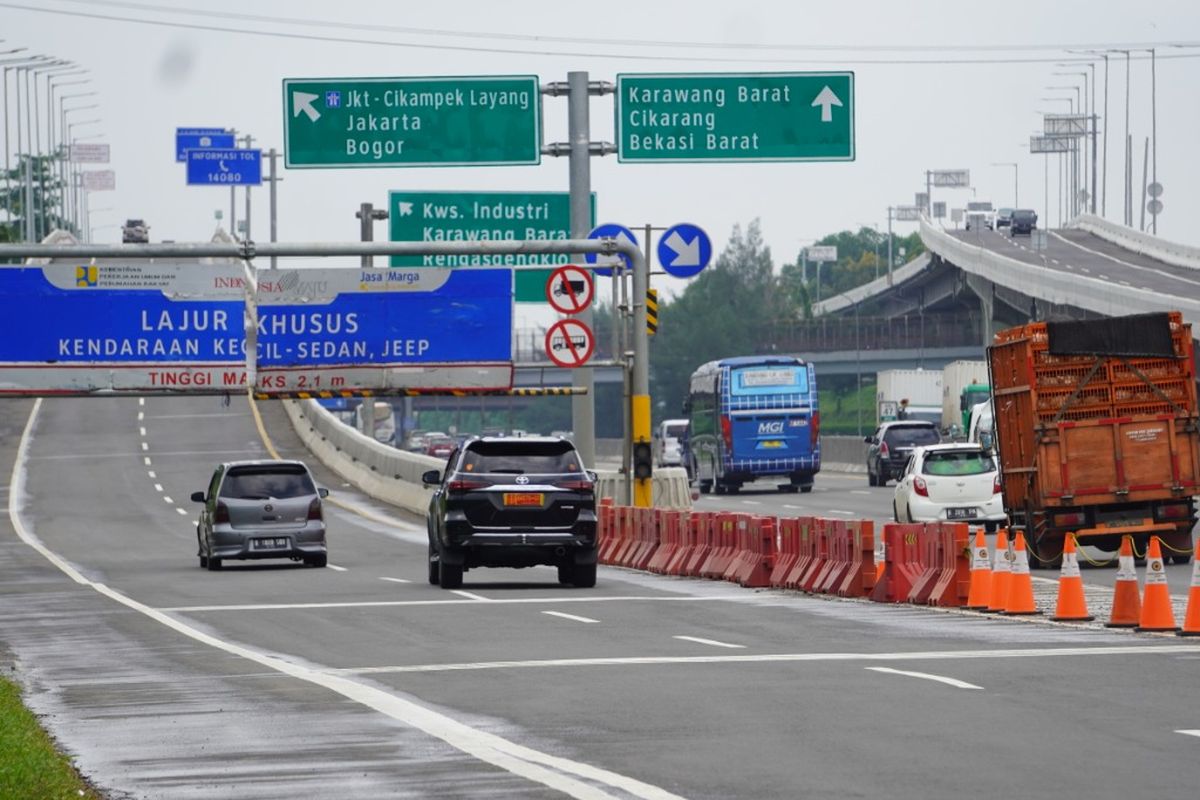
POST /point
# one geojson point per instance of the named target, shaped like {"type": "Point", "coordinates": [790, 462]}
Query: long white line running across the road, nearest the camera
{"type": "Point", "coordinates": [785, 658]}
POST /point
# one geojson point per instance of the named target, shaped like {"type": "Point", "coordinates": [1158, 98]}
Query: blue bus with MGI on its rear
{"type": "Point", "coordinates": [751, 418]}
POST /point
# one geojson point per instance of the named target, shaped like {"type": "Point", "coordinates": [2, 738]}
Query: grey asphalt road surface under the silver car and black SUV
{"type": "Point", "coordinates": [362, 681]}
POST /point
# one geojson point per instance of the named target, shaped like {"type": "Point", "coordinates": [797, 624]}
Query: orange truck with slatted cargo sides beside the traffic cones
{"type": "Point", "coordinates": [1097, 432]}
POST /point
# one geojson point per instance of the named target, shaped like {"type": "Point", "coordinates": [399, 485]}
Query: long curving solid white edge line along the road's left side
{"type": "Point", "coordinates": [519, 760]}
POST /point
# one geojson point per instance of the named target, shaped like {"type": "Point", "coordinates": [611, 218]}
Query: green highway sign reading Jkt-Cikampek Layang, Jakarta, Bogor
{"type": "Point", "coordinates": [412, 122]}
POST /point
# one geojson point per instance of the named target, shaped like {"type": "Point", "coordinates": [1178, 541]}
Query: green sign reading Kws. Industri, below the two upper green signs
{"type": "Point", "coordinates": [485, 216]}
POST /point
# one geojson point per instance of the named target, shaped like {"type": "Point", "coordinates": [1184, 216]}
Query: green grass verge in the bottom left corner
{"type": "Point", "coordinates": [31, 766]}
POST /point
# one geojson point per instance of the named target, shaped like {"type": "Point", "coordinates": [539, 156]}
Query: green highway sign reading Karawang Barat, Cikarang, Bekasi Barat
{"type": "Point", "coordinates": [736, 117]}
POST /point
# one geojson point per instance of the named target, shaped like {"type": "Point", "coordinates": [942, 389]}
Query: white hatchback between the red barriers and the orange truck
{"type": "Point", "coordinates": [952, 483]}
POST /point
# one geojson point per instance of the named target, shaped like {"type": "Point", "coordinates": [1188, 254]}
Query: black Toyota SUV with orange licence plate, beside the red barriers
{"type": "Point", "coordinates": [515, 503]}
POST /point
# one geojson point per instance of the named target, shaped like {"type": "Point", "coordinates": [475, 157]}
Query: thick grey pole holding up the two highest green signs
{"type": "Point", "coordinates": [580, 169]}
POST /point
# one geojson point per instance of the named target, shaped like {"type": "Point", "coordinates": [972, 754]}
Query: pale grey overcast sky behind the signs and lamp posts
{"type": "Point", "coordinates": [195, 70]}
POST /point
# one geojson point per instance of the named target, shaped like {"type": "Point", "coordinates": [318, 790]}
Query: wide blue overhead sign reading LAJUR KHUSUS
{"type": "Point", "coordinates": [83, 329]}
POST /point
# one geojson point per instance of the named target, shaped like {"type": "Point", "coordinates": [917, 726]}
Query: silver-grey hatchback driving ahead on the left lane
{"type": "Point", "coordinates": [262, 510]}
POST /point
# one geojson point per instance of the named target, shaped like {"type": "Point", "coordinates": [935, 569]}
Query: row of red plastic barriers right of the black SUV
{"type": "Point", "coordinates": [927, 563]}
